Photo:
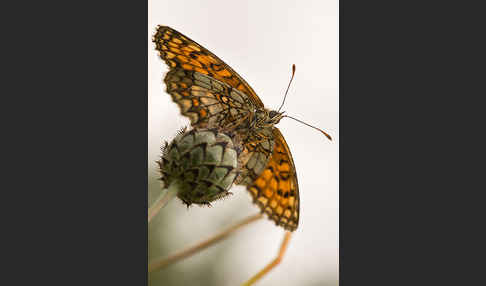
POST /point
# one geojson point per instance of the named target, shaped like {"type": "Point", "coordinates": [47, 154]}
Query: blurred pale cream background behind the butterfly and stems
{"type": "Point", "coordinates": [260, 40]}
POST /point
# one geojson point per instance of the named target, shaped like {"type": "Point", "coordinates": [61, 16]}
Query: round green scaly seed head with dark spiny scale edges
{"type": "Point", "coordinates": [203, 162]}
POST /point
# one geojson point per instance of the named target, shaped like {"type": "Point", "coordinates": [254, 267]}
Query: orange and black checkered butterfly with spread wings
{"type": "Point", "coordinates": [211, 94]}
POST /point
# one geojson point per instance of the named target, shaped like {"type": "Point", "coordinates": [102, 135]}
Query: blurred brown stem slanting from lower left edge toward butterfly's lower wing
{"type": "Point", "coordinates": [160, 263]}
